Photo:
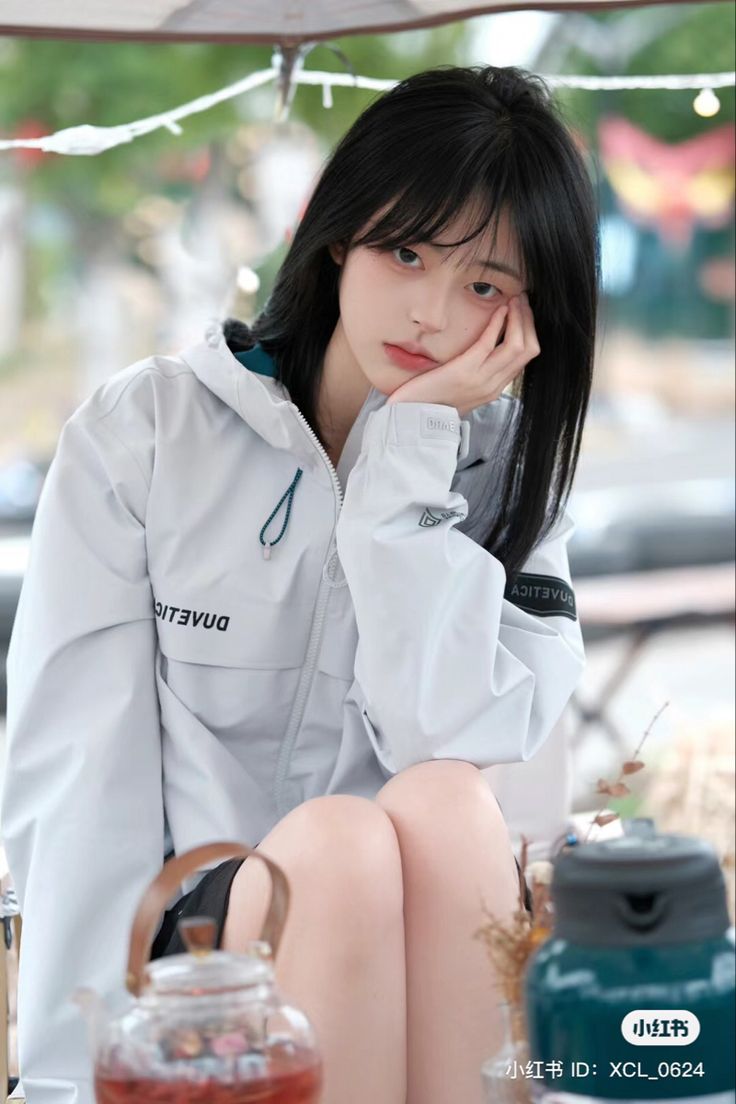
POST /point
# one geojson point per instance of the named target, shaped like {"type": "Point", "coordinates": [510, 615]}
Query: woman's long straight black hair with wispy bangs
{"type": "Point", "coordinates": [443, 143]}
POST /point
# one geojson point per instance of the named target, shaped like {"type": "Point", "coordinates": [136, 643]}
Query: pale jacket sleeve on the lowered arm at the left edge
{"type": "Point", "coordinates": [82, 815]}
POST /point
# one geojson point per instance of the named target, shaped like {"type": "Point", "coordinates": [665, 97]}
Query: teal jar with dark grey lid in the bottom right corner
{"type": "Point", "coordinates": [633, 997]}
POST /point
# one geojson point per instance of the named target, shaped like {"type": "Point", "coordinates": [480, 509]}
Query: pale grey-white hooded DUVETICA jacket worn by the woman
{"type": "Point", "coordinates": [161, 661]}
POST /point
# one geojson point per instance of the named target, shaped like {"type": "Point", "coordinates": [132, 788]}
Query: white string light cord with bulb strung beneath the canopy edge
{"type": "Point", "coordinates": [89, 141]}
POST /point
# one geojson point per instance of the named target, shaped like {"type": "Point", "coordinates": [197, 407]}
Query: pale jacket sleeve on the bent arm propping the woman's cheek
{"type": "Point", "coordinates": [447, 667]}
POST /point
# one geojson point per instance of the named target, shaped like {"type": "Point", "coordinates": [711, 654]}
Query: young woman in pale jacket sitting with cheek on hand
{"type": "Point", "coordinates": [298, 585]}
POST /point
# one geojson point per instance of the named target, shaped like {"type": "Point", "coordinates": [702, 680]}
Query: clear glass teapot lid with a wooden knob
{"type": "Point", "coordinates": [202, 970]}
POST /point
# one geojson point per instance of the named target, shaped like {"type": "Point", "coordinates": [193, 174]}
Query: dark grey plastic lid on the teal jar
{"type": "Point", "coordinates": [639, 890]}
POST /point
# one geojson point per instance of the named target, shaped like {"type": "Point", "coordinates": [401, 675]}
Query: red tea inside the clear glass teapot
{"type": "Point", "coordinates": [297, 1087]}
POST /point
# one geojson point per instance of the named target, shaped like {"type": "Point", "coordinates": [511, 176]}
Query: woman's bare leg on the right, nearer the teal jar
{"type": "Point", "coordinates": [456, 856]}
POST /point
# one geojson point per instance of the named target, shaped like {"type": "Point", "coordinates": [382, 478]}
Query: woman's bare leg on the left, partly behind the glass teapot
{"type": "Point", "coordinates": [342, 959]}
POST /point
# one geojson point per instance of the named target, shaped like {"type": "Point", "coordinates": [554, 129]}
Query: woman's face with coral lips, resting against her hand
{"type": "Point", "coordinates": [425, 298]}
